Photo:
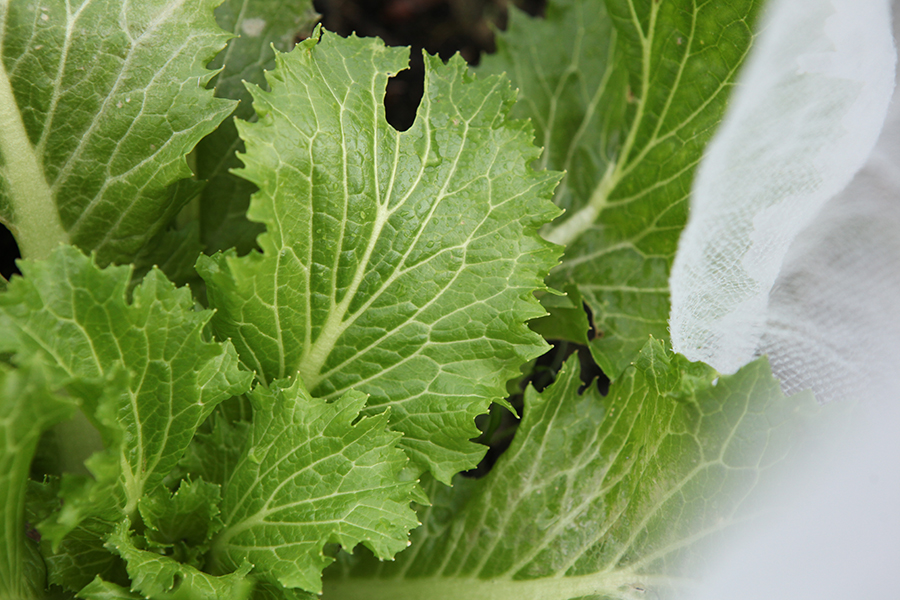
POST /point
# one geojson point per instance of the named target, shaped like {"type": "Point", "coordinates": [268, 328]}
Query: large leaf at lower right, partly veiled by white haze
{"type": "Point", "coordinates": [601, 497]}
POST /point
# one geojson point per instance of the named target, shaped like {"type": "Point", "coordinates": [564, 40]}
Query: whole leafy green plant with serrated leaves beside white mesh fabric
{"type": "Point", "coordinates": [360, 296]}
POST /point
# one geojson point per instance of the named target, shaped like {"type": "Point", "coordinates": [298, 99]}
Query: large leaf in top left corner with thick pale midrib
{"type": "Point", "coordinates": [101, 101]}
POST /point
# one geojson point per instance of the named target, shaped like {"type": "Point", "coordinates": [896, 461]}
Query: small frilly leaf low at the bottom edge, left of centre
{"type": "Point", "coordinates": [159, 577]}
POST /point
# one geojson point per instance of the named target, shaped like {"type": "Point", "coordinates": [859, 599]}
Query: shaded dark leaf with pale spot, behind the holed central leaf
{"type": "Point", "coordinates": [258, 26]}
